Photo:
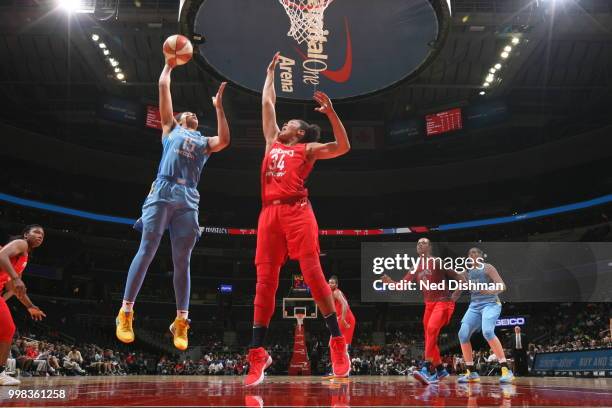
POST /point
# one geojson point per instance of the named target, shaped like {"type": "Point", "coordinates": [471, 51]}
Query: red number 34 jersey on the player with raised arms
{"type": "Point", "coordinates": [284, 171]}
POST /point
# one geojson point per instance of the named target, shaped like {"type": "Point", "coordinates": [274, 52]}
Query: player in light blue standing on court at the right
{"type": "Point", "coordinates": [483, 312]}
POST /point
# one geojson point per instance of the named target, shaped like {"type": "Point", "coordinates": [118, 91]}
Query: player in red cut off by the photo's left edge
{"type": "Point", "coordinates": [13, 260]}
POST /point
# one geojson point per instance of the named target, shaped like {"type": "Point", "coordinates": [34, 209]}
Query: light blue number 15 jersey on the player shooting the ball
{"type": "Point", "coordinates": [184, 154]}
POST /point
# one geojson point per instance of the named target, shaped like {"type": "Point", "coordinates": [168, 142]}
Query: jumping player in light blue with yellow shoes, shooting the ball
{"type": "Point", "coordinates": [173, 204]}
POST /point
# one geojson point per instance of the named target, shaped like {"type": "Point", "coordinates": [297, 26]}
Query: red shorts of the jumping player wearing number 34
{"type": "Point", "coordinates": [286, 230]}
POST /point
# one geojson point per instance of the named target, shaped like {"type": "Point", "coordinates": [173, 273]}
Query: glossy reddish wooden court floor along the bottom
{"type": "Point", "coordinates": [303, 391]}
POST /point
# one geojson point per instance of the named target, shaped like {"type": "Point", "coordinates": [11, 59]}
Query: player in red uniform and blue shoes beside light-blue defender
{"type": "Point", "coordinates": [439, 307]}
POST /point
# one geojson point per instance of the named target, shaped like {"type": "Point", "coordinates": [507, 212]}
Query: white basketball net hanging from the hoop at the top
{"type": "Point", "coordinates": [306, 17]}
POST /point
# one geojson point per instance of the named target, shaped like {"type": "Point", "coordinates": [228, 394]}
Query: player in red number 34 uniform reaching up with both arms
{"type": "Point", "coordinates": [287, 226]}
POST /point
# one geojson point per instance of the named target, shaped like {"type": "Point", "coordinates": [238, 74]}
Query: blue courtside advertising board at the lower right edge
{"type": "Point", "coordinates": [584, 360]}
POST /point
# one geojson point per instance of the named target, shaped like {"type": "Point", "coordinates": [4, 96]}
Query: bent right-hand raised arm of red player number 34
{"type": "Point", "coordinates": [341, 143]}
